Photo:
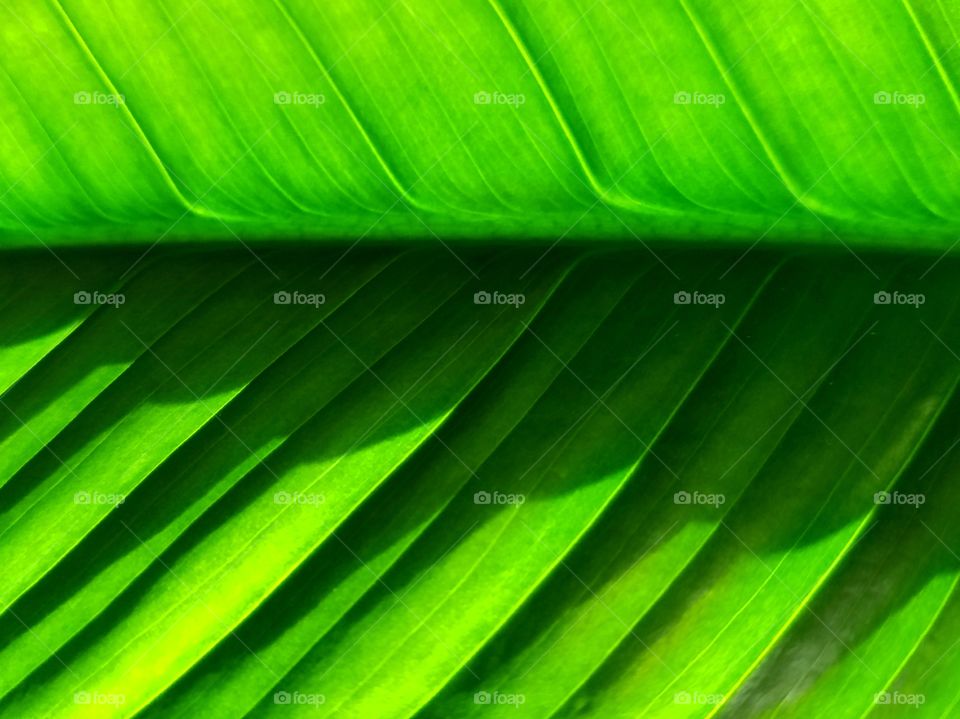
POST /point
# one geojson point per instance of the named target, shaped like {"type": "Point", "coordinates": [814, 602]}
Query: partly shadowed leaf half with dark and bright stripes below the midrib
{"type": "Point", "coordinates": [391, 498]}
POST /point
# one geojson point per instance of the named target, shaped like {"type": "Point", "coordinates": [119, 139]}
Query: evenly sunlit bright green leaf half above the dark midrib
{"type": "Point", "coordinates": [829, 120]}
